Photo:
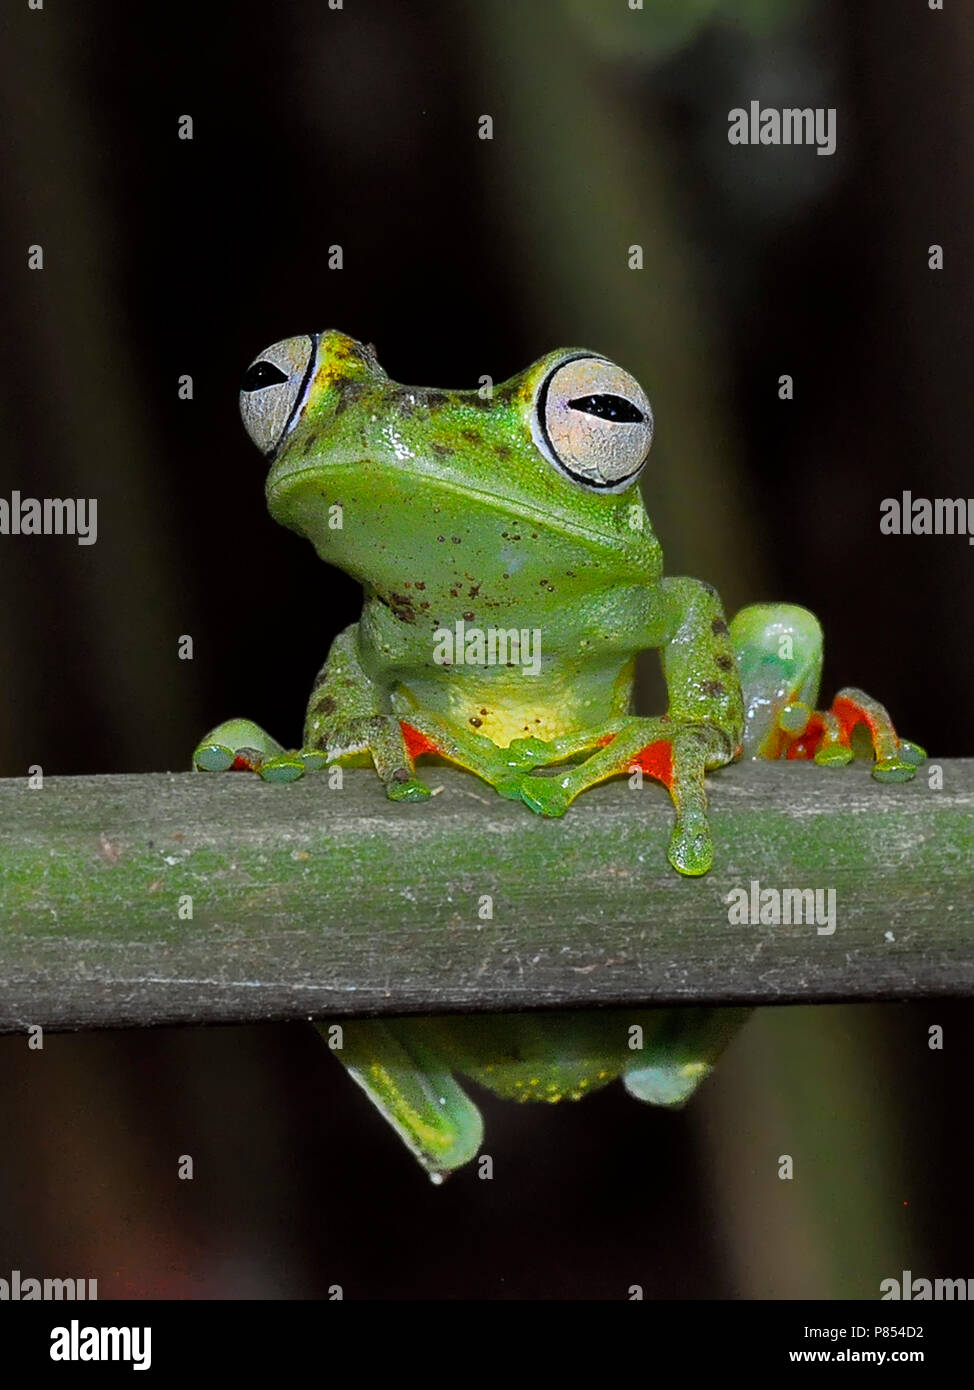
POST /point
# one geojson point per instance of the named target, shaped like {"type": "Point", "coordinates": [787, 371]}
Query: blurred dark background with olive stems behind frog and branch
{"type": "Point", "coordinates": [462, 258]}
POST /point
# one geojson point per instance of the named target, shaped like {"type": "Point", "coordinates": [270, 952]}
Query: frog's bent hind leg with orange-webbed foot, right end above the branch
{"type": "Point", "coordinates": [780, 654]}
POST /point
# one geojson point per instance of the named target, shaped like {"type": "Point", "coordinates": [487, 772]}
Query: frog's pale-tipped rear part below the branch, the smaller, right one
{"type": "Point", "coordinates": [680, 1054]}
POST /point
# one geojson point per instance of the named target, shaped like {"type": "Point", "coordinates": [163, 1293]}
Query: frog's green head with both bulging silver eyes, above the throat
{"type": "Point", "coordinates": [388, 480]}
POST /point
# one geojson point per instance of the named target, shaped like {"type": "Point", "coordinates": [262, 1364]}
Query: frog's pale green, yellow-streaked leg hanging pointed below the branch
{"type": "Point", "coordinates": [413, 1088]}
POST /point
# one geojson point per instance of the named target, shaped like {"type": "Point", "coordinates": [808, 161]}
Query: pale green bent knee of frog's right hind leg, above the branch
{"type": "Point", "coordinates": [780, 651]}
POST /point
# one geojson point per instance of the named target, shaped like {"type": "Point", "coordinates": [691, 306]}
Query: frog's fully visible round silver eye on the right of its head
{"type": "Point", "coordinates": [594, 422]}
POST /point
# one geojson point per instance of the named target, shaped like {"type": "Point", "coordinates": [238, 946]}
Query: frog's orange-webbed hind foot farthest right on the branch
{"type": "Point", "coordinates": [830, 736]}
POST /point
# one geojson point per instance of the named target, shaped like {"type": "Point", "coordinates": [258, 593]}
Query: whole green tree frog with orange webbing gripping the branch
{"type": "Point", "coordinates": [511, 579]}
